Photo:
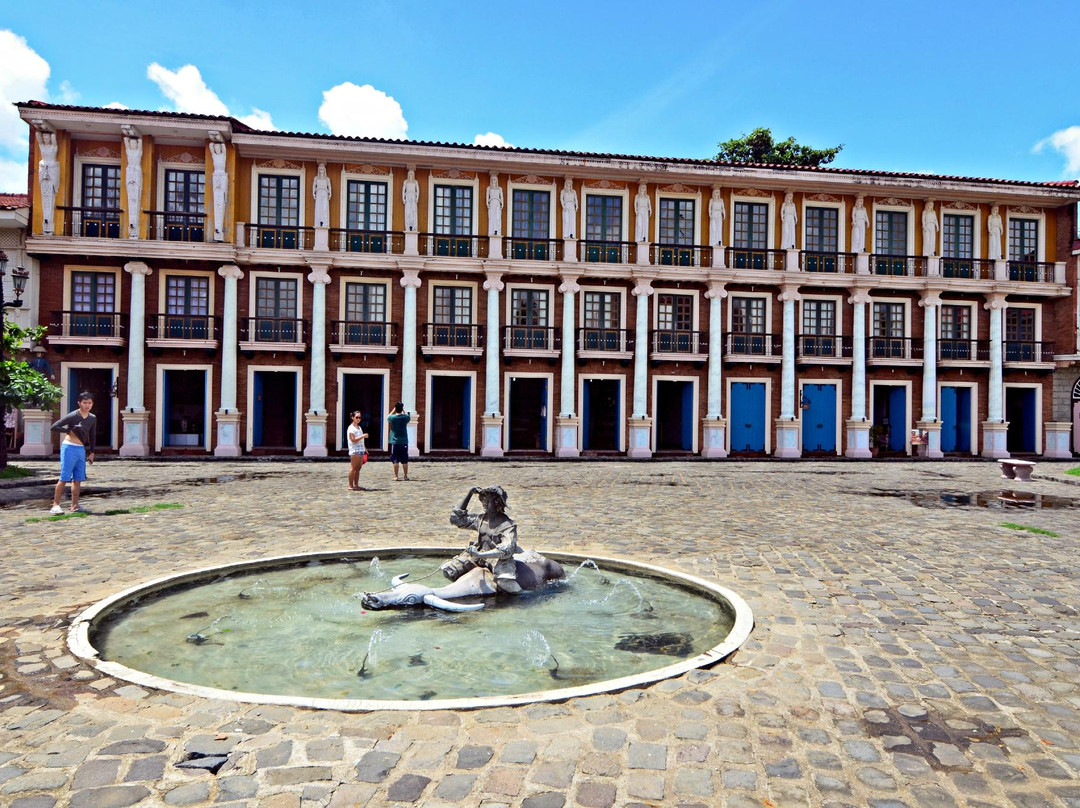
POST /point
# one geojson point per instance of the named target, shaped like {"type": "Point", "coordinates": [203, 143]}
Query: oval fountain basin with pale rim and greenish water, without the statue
{"type": "Point", "coordinates": [292, 630]}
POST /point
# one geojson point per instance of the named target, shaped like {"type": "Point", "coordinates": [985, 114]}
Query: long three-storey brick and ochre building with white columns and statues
{"type": "Point", "coordinates": [228, 291]}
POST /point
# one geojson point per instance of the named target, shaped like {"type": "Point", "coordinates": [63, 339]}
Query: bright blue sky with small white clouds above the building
{"type": "Point", "coordinates": [975, 89]}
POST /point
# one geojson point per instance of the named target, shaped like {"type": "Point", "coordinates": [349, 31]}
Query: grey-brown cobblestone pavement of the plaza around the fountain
{"type": "Point", "coordinates": [903, 655]}
